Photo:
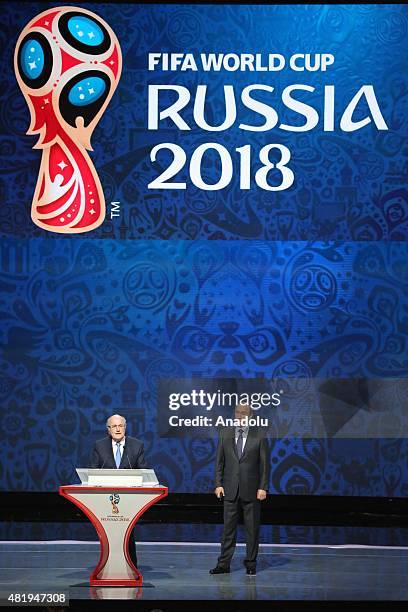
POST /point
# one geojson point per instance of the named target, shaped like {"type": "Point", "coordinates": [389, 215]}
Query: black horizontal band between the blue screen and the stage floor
{"type": "Point", "coordinates": [197, 508]}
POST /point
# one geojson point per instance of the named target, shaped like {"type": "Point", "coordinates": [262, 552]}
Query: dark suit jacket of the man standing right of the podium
{"type": "Point", "coordinates": [250, 473]}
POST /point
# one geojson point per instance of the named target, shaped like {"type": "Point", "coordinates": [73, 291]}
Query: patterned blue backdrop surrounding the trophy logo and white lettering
{"type": "Point", "coordinates": [307, 282]}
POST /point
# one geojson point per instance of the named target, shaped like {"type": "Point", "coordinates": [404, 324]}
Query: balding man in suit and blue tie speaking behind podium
{"type": "Point", "coordinates": [119, 451]}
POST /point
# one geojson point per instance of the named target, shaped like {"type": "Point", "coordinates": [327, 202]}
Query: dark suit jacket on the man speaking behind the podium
{"type": "Point", "coordinates": [133, 454]}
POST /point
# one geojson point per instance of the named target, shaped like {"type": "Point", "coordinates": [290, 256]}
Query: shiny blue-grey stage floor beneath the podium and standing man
{"type": "Point", "coordinates": [179, 571]}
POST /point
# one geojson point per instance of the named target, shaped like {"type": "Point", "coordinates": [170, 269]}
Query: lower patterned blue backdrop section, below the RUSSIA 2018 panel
{"type": "Point", "coordinates": [90, 327]}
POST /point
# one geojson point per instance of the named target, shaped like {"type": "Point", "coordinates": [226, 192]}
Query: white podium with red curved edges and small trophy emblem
{"type": "Point", "coordinates": [114, 511]}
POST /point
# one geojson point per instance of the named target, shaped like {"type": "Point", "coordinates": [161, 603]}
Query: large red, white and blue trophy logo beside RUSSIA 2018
{"type": "Point", "coordinates": [67, 63]}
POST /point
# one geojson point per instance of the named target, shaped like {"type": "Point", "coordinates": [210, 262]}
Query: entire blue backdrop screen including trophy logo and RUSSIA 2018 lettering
{"type": "Point", "coordinates": [299, 272]}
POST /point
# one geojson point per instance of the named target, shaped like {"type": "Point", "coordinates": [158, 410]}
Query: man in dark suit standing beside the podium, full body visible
{"type": "Point", "coordinates": [241, 478]}
